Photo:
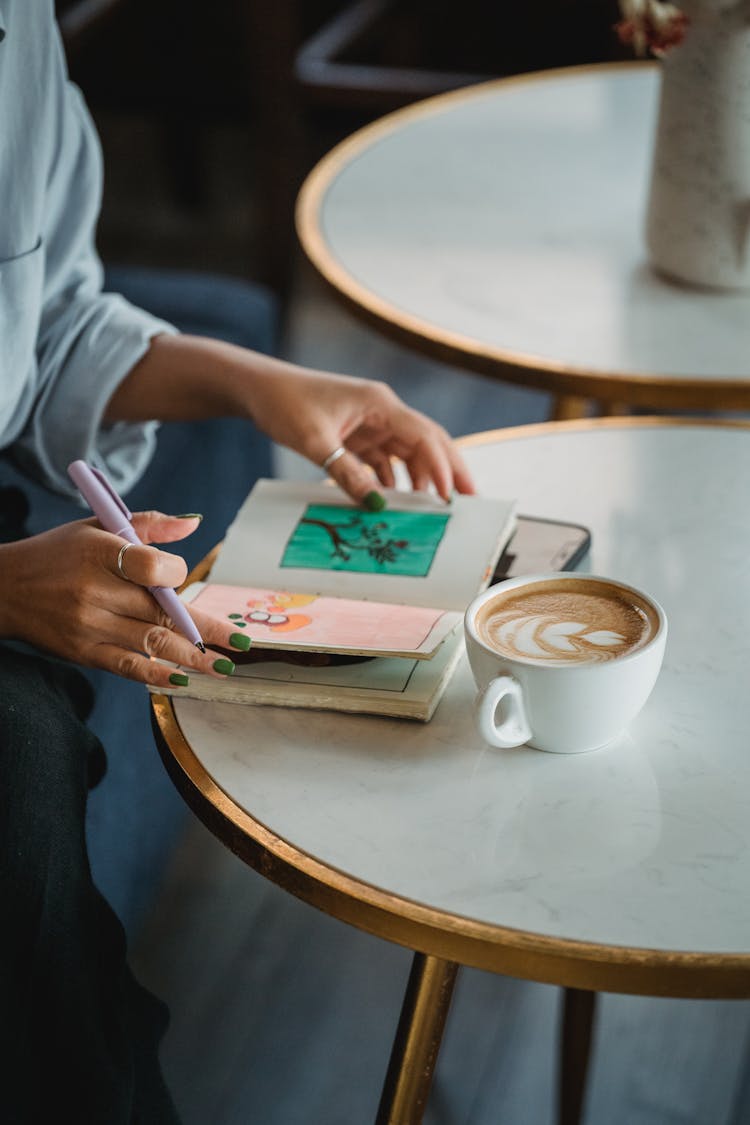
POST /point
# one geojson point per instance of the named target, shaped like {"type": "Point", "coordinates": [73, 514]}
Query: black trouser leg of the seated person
{"type": "Point", "coordinates": [79, 1037]}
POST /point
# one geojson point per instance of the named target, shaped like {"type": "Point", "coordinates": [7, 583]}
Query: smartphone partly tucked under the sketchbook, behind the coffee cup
{"type": "Point", "coordinates": [541, 546]}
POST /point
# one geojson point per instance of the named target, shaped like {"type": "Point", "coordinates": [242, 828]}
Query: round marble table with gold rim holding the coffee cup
{"type": "Point", "coordinates": [621, 870]}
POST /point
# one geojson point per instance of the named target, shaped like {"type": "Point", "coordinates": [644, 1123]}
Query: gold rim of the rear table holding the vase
{"type": "Point", "coordinates": [653, 390]}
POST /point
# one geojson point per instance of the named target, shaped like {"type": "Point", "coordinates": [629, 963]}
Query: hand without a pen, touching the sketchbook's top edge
{"type": "Point", "coordinates": [315, 412]}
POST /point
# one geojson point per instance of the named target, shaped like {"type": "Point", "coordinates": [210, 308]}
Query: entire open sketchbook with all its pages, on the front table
{"type": "Point", "coordinates": [304, 570]}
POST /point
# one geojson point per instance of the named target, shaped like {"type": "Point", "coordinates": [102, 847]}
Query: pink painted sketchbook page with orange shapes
{"type": "Point", "coordinates": [282, 619]}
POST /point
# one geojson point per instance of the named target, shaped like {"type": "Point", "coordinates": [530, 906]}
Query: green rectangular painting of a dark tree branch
{"type": "Point", "coordinates": [330, 538]}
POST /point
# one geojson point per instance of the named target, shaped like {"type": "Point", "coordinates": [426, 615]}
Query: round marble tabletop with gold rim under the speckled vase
{"type": "Point", "coordinates": [501, 228]}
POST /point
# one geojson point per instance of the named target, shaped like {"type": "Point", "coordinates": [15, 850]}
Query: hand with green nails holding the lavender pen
{"type": "Point", "coordinates": [62, 592]}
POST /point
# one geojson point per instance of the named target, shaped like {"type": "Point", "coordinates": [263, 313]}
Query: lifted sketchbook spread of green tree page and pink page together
{"type": "Point", "coordinates": [303, 568]}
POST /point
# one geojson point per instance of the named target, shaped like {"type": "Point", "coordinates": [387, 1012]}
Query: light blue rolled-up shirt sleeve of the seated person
{"type": "Point", "coordinates": [88, 341]}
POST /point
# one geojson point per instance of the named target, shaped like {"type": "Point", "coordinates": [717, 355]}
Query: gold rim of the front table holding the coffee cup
{"type": "Point", "coordinates": [529, 956]}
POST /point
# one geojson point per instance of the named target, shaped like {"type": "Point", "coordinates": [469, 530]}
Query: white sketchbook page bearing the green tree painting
{"type": "Point", "coordinates": [311, 538]}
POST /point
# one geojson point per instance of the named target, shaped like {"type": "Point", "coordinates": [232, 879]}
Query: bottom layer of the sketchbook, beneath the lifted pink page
{"type": "Point", "coordinates": [390, 687]}
